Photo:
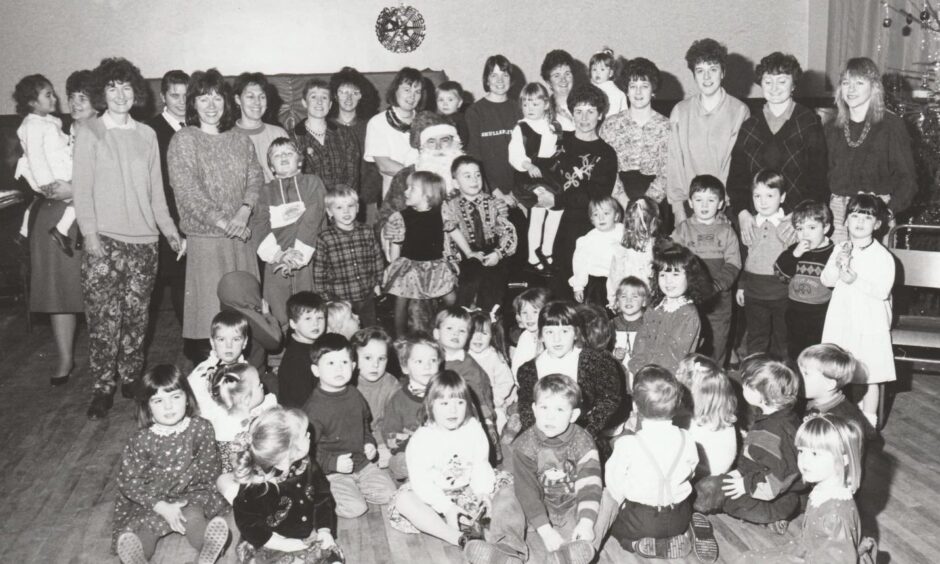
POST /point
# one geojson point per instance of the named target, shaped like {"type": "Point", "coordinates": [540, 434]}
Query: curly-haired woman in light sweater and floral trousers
{"type": "Point", "coordinates": [121, 209]}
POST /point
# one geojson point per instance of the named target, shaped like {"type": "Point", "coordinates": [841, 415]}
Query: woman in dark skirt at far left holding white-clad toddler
{"type": "Point", "coordinates": [55, 283]}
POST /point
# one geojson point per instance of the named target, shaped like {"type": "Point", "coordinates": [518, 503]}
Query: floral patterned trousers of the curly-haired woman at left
{"type": "Point", "coordinates": [116, 290]}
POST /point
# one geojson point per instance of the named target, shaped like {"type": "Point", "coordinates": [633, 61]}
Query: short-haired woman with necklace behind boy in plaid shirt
{"type": "Point", "coordinates": [329, 151]}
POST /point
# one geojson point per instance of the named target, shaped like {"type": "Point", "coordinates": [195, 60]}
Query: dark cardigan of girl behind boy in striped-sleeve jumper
{"type": "Point", "coordinates": [601, 390]}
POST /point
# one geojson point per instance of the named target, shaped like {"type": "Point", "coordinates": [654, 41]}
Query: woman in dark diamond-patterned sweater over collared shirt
{"type": "Point", "coordinates": [784, 136]}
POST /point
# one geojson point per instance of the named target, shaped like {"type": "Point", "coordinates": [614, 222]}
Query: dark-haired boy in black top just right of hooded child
{"type": "Point", "coordinates": [307, 319]}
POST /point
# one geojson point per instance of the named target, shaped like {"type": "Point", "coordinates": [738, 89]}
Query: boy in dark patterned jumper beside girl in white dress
{"type": "Point", "coordinates": [800, 267]}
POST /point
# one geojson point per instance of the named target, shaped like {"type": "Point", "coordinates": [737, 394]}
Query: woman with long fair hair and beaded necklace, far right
{"type": "Point", "coordinates": [869, 147]}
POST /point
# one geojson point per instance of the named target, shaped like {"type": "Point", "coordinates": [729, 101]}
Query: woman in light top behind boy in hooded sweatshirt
{"type": "Point", "coordinates": [251, 98]}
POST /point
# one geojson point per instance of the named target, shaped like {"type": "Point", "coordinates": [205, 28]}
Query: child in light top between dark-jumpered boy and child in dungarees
{"type": "Point", "coordinates": [374, 383]}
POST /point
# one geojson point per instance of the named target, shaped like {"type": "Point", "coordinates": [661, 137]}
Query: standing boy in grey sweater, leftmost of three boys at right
{"type": "Point", "coordinates": [709, 235]}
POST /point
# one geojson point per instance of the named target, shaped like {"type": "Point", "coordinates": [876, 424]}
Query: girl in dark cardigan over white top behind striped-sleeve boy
{"type": "Point", "coordinates": [596, 372]}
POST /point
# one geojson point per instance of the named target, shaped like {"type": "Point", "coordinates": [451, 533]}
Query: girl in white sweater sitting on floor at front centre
{"type": "Point", "coordinates": [452, 489]}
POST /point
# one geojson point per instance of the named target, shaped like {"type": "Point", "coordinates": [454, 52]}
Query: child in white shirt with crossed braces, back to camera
{"type": "Point", "coordinates": [648, 477]}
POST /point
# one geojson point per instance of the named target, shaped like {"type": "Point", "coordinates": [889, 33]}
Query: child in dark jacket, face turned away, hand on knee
{"type": "Point", "coordinates": [761, 488]}
